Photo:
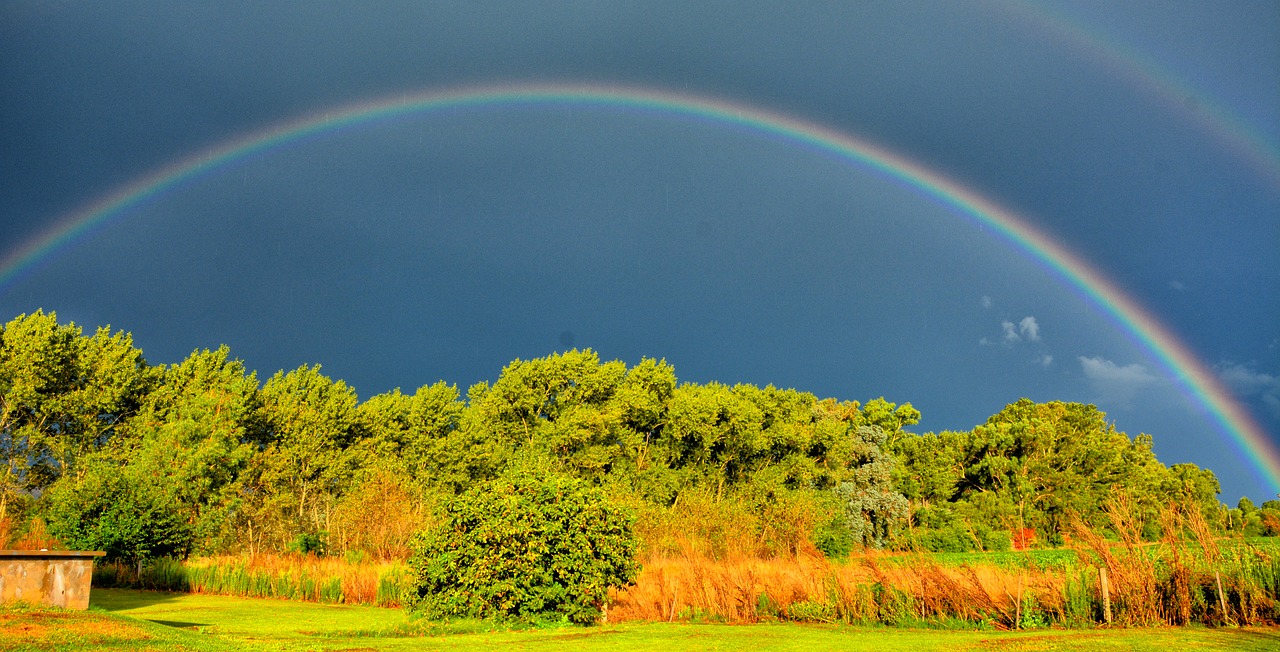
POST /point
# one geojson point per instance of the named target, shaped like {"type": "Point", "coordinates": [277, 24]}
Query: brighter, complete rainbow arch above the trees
{"type": "Point", "coordinates": [1197, 380]}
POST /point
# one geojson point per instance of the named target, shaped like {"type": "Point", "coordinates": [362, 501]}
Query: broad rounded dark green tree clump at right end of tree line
{"type": "Point", "coordinates": [1032, 466]}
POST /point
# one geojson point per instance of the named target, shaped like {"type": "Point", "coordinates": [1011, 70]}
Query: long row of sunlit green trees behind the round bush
{"type": "Point", "coordinates": [107, 452]}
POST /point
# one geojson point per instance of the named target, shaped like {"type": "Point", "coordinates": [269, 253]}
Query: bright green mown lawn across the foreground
{"type": "Point", "coordinates": [124, 619]}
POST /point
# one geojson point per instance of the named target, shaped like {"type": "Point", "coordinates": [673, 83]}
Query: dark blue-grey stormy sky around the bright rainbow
{"type": "Point", "coordinates": [445, 245]}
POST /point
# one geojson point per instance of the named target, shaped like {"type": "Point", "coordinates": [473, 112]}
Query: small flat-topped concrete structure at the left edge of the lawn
{"type": "Point", "coordinates": [54, 578]}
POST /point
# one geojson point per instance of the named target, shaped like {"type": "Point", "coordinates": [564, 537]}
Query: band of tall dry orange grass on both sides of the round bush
{"type": "Point", "coordinates": [1235, 582]}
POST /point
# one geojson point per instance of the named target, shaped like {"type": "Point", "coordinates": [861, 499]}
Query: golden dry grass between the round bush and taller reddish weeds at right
{"type": "Point", "coordinates": [808, 587]}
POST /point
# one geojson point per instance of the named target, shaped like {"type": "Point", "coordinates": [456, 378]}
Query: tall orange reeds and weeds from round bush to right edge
{"type": "Point", "coordinates": [1191, 577]}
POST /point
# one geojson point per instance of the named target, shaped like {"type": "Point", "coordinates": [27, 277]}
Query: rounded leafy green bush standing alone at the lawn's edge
{"type": "Point", "coordinates": [527, 548]}
